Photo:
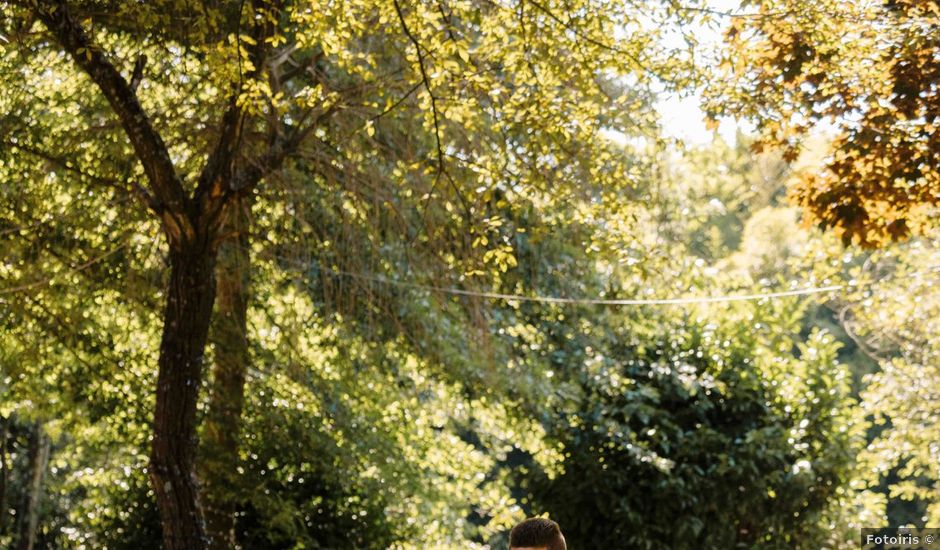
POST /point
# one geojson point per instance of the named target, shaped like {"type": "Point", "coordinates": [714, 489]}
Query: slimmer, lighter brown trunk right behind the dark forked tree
{"type": "Point", "coordinates": [221, 433]}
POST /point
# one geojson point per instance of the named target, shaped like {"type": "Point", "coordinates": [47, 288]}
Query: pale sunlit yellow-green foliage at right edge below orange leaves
{"type": "Point", "coordinates": [892, 313]}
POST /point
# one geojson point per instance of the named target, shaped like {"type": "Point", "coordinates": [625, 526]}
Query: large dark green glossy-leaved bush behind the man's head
{"type": "Point", "coordinates": [707, 435]}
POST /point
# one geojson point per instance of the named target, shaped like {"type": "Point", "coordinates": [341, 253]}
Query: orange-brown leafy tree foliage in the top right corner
{"type": "Point", "coordinates": [869, 71]}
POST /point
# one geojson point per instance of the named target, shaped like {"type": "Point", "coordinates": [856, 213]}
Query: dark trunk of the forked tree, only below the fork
{"type": "Point", "coordinates": [190, 295]}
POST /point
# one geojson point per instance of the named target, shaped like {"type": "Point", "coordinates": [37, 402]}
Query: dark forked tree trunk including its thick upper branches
{"type": "Point", "coordinates": [190, 224]}
